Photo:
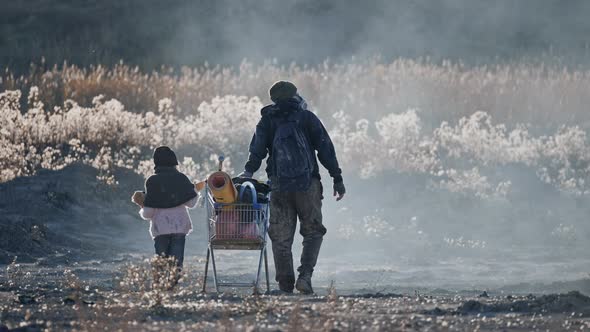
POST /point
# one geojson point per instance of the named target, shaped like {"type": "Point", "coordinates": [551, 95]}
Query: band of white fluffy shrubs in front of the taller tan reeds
{"type": "Point", "coordinates": [454, 155]}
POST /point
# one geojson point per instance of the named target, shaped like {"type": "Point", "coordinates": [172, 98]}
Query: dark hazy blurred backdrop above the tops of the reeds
{"type": "Point", "coordinates": [152, 33]}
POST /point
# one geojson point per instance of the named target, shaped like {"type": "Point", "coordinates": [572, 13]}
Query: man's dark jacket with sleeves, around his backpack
{"type": "Point", "coordinates": [311, 126]}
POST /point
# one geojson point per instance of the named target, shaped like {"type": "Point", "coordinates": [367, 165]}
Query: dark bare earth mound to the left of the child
{"type": "Point", "coordinates": [65, 216]}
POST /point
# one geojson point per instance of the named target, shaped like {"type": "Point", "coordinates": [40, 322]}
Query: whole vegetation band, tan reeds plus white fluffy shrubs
{"type": "Point", "coordinates": [446, 121]}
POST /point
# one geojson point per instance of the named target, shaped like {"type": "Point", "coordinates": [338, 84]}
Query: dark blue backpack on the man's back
{"type": "Point", "coordinates": [293, 167]}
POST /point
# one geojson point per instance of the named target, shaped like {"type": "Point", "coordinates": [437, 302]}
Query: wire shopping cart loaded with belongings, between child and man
{"type": "Point", "coordinates": [237, 226]}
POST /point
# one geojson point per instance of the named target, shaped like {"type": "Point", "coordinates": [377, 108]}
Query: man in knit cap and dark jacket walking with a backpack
{"type": "Point", "coordinates": [291, 135]}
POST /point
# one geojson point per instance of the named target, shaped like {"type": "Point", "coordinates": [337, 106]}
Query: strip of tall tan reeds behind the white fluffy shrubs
{"type": "Point", "coordinates": [531, 93]}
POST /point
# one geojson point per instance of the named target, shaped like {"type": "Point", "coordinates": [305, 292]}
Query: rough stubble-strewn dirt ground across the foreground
{"type": "Point", "coordinates": [118, 295]}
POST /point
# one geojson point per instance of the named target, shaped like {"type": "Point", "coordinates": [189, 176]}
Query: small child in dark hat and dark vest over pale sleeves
{"type": "Point", "coordinates": [168, 194]}
